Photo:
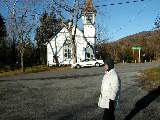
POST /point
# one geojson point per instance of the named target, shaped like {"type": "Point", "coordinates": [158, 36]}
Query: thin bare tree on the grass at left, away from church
{"type": "Point", "coordinates": [21, 24]}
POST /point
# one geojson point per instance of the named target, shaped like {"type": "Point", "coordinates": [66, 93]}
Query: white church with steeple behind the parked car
{"type": "Point", "coordinates": [60, 44]}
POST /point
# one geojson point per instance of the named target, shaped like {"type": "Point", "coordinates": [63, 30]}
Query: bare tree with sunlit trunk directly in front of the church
{"type": "Point", "coordinates": [75, 12]}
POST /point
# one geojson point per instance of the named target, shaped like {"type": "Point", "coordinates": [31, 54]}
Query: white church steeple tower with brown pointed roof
{"type": "Point", "coordinates": [89, 27]}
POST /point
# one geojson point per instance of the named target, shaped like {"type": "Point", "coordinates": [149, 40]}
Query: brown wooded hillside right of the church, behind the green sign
{"type": "Point", "coordinates": [121, 50]}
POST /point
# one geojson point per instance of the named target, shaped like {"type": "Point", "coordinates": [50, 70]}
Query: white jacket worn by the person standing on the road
{"type": "Point", "coordinates": [109, 88]}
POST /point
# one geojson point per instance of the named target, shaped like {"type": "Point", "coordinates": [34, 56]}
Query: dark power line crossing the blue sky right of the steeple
{"type": "Point", "coordinates": [120, 3]}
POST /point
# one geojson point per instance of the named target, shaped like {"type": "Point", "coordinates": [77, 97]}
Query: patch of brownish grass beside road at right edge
{"type": "Point", "coordinates": [151, 78]}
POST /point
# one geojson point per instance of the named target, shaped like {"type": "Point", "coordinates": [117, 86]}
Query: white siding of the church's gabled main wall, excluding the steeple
{"type": "Point", "coordinates": [57, 45]}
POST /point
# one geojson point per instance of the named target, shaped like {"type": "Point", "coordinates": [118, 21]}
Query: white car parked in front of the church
{"type": "Point", "coordinates": [88, 63]}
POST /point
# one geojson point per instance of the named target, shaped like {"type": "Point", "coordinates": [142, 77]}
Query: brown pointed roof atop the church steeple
{"type": "Point", "coordinates": [89, 7]}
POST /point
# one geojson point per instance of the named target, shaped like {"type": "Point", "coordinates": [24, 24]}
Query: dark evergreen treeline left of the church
{"type": "Point", "coordinates": [34, 50]}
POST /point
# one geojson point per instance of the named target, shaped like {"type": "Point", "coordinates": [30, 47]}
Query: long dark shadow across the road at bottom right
{"type": "Point", "coordinates": [144, 102]}
